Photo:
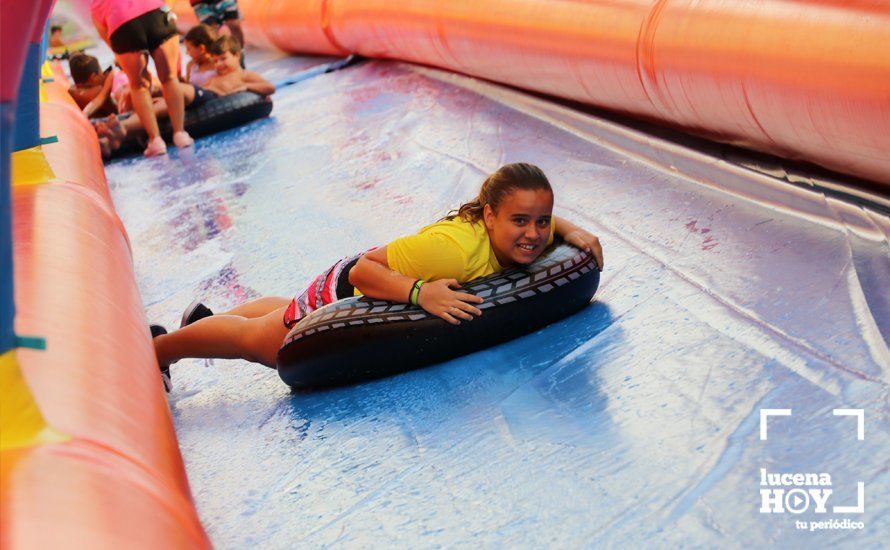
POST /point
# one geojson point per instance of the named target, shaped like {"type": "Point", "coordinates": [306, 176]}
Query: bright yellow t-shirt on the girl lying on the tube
{"type": "Point", "coordinates": [450, 249]}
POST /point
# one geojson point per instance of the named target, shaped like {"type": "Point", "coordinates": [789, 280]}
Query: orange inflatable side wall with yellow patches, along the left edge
{"type": "Point", "coordinates": [102, 467]}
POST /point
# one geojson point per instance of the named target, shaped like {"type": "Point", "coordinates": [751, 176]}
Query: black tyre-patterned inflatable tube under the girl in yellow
{"type": "Point", "coordinates": [359, 339]}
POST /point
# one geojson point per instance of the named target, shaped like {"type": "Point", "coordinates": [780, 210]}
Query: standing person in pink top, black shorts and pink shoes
{"type": "Point", "coordinates": [131, 27]}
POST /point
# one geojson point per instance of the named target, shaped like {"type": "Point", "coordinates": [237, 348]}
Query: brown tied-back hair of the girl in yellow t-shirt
{"type": "Point", "coordinates": [498, 186]}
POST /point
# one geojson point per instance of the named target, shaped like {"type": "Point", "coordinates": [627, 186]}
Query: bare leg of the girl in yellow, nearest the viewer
{"type": "Point", "coordinates": [226, 337]}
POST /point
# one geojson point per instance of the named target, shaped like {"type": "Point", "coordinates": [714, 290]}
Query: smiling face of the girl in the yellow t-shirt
{"type": "Point", "coordinates": [519, 228]}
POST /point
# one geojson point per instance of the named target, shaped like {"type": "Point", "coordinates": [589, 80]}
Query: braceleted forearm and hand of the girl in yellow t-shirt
{"type": "Point", "coordinates": [372, 276]}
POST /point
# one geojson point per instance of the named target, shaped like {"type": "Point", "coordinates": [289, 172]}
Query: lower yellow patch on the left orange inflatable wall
{"type": "Point", "coordinates": [21, 424]}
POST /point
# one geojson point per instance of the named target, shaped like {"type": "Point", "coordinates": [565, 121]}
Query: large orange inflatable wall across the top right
{"type": "Point", "coordinates": [803, 79]}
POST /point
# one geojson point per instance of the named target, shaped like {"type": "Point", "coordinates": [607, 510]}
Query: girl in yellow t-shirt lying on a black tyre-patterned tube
{"type": "Point", "coordinates": [510, 222]}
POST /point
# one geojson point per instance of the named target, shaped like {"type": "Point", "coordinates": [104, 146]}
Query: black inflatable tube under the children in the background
{"type": "Point", "coordinates": [216, 115]}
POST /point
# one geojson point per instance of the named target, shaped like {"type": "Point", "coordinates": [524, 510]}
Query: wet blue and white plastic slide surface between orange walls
{"type": "Point", "coordinates": [636, 420]}
